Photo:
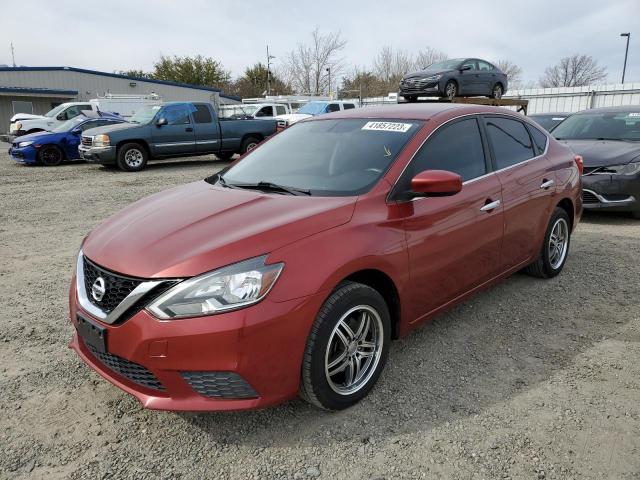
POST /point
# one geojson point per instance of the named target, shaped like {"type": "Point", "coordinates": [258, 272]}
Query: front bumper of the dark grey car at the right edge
{"type": "Point", "coordinates": [618, 193]}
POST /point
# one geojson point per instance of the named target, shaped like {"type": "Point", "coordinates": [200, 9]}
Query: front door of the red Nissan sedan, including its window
{"type": "Point", "coordinates": [453, 242]}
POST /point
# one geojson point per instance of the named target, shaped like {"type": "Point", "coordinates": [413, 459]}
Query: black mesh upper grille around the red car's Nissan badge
{"type": "Point", "coordinates": [116, 287]}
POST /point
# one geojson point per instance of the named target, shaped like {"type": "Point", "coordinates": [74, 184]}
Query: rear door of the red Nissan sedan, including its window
{"type": "Point", "coordinates": [528, 188]}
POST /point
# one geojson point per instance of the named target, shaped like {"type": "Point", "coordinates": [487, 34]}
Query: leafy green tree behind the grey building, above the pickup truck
{"type": "Point", "coordinates": [196, 70]}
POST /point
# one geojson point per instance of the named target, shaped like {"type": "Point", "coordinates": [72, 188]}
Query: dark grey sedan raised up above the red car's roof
{"type": "Point", "coordinates": [453, 78]}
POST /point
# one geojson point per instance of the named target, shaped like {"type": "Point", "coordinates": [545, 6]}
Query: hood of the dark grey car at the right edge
{"type": "Point", "coordinates": [602, 153]}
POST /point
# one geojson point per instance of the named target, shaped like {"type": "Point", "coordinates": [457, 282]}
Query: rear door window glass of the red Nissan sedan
{"type": "Point", "coordinates": [510, 141]}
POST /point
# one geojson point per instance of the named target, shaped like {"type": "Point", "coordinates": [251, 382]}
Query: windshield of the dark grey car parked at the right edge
{"type": "Point", "coordinates": [600, 125]}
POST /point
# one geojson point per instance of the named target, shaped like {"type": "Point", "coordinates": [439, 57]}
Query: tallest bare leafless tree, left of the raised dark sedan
{"type": "Point", "coordinates": [306, 66]}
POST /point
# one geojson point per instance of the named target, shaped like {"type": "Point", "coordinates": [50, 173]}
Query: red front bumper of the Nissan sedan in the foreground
{"type": "Point", "coordinates": [263, 345]}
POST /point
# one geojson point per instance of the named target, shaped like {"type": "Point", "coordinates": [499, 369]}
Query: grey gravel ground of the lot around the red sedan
{"type": "Point", "coordinates": [531, 379]}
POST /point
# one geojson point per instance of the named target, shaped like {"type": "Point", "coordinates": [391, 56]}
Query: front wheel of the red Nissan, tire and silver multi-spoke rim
{"type": "Point", "coordinates": [354, 305]}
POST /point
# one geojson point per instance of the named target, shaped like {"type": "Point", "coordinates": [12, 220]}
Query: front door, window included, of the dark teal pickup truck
{"type": "Point", "coordinates": [177, 136]}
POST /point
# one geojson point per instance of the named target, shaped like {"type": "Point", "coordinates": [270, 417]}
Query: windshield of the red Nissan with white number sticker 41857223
{"type": "Point", "coordinates": [341, 157]}
